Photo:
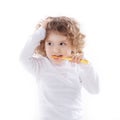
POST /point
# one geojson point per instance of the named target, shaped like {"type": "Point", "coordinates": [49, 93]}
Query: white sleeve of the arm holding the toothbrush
{"type": "Point", "coordinates": [89, 78]}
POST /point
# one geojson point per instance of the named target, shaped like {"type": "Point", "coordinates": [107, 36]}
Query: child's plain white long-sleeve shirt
{"type": "Point", "coordinates": [59, 86]}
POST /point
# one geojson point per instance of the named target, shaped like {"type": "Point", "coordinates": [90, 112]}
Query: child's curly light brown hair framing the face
{"type": "Point", "coordinates": [67, 27]}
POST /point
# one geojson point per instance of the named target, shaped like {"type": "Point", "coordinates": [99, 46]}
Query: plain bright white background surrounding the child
{"type": "Point", "coordinates": [100, 22]}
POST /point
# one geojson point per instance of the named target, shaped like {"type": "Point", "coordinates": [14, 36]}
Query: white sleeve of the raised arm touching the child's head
{"type": "Point", "coordinates": [31, 63]}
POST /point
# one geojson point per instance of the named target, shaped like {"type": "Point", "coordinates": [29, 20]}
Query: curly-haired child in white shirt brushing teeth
{"type": "Point", "coordinates": [59, 80]}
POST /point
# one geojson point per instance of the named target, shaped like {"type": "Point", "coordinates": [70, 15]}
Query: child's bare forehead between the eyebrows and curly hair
{"type": "Point", "coordinates": [56, 36]}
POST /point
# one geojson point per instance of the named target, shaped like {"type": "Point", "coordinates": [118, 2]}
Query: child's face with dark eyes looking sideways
{"type": "Point", "coordinates": [58, 45]}
